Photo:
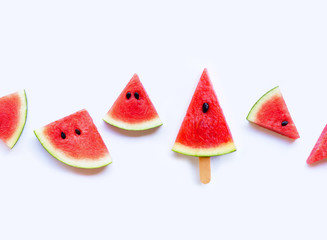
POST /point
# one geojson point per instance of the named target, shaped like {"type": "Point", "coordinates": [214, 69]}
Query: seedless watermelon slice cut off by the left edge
{"type": "Point", "coordinates": [13, 112]}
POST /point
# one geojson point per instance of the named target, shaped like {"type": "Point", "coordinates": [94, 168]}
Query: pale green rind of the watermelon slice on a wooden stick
{"type": "Point", "coordinates": [222, 149]}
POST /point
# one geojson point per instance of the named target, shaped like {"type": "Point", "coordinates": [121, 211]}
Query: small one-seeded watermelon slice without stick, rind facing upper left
{"type": "Point", "coordinates": [271, 112]}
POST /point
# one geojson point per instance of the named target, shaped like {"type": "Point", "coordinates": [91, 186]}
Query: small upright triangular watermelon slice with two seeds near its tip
{"type": "Point", "coordinates": [133, 109]}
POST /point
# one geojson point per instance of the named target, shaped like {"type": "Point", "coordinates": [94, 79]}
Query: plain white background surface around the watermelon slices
{"type": "Point", "coordinates": [70, 55]}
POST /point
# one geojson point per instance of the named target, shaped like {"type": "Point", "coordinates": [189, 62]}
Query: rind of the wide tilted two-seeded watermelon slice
{"type": "Point", "coordinates": [59, 155]}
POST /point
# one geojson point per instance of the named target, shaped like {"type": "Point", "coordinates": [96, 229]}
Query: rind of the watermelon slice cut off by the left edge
{"type": "Point", "coordinates": [22, 121]}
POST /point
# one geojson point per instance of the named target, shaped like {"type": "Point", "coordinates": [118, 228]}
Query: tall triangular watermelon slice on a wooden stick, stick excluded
{"type": "Point", "coordinates": [204, 131]}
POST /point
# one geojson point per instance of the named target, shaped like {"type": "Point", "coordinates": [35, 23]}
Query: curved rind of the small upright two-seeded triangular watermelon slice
{"type": "Point", "coordinates": [139, 126]}
